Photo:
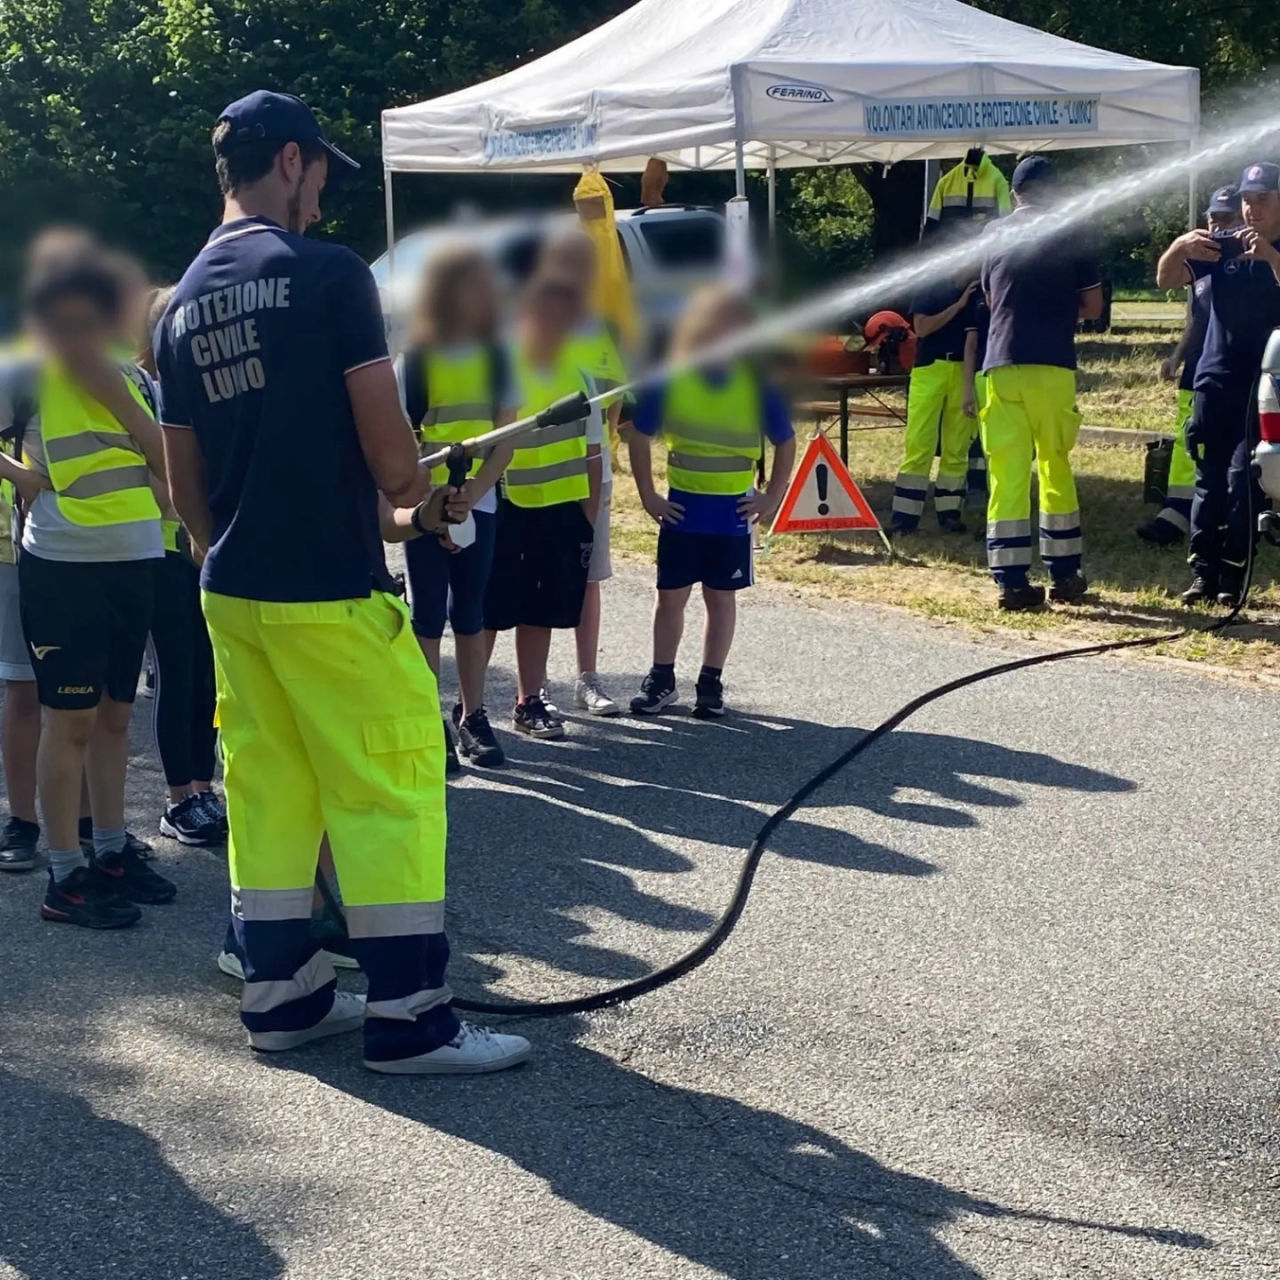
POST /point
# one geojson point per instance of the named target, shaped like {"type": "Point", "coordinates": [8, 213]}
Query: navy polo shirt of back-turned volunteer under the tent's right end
{"type": "Point", "coordinates": [1034, 292]}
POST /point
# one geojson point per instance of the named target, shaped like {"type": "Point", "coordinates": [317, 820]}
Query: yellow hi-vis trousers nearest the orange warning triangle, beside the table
{"type": "Point", "coordinates": [935, 410]}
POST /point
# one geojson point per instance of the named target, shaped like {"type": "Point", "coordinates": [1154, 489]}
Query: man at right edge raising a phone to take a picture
{"type": "Point", "coordinates": [1245, 308]}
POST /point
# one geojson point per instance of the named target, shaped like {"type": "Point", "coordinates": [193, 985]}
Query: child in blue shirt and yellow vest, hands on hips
{"type": "Point", "coordinates": [716, 422]}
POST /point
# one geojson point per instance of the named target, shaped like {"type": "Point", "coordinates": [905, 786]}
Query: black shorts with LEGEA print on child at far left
{"type": "Point", "coordinates": [86, 627]}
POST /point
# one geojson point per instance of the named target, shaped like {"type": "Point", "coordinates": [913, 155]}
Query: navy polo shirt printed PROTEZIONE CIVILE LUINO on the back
{"type": "Point", "coordinates": [253, 354]}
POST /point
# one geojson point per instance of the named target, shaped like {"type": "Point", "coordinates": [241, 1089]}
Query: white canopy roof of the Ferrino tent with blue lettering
{"type": "Point", "coordinates": [766, 84]}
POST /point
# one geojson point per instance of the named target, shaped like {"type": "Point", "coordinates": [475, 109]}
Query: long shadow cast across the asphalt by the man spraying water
{"type": "Point", "coordinates": [747, 1192]}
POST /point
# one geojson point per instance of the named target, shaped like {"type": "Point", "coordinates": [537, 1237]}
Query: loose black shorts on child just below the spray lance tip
{"type": "Point", "coordinates": [541, 559]}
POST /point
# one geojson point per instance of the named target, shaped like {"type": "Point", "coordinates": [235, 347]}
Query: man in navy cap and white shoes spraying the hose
{"type": "Point", "coordinates": [282, 426]}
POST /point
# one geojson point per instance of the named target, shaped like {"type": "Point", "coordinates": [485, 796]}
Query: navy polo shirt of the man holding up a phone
{"type": "Point", "coordinates": [1245, 308]}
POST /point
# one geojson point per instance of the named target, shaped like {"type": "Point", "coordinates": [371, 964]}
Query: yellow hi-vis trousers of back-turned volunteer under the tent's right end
{"type": "Point", "coordinates": [1030, 414]}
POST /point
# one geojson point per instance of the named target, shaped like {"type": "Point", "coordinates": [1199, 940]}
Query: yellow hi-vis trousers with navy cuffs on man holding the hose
{"type": "Point", "coordinates": [331, 723]}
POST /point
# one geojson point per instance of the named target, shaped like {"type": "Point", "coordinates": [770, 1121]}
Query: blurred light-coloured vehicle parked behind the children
{"type": "Point", "coordinates": [669, 252]}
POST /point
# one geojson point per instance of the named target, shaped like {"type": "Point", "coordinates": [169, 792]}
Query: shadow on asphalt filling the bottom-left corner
{"type": "Point", "coordinates": [86, 1197]}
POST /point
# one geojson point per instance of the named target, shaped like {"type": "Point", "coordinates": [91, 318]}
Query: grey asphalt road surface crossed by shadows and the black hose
{"type": "Point", "coordinates": [1004, 1004]}
